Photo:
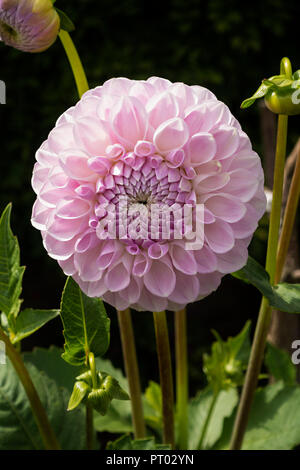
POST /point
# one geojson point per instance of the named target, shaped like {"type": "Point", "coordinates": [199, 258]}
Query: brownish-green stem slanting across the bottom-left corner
{"type": "Point", "coordinates": [39, 413]}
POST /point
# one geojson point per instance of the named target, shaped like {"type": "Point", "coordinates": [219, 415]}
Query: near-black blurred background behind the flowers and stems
{"type": "Point", "coordinates": [227, 46]}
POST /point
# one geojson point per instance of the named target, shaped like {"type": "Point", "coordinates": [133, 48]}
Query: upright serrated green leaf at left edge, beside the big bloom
{"type": "Point", "coordinates": [11, 273]}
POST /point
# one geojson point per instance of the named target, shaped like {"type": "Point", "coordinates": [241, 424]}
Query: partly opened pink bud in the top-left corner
{"type": "Point", "coordinates": [28, 25]}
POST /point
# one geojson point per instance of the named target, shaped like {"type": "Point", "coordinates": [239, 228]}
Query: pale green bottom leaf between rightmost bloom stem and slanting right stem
{"type": "Point", "coordinates": [198, 410]}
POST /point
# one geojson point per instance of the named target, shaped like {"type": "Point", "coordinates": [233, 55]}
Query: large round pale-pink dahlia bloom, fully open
{"type": "Point", "coordinates": [147, 142]}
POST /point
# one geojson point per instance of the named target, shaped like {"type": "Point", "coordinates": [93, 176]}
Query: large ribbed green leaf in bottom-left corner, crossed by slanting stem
{"type": "Point", "coordinates": [18, 429]}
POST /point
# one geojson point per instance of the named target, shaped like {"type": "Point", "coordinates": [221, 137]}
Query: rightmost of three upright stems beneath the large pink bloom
{"type": "Point", "coordinates": [181, 378]}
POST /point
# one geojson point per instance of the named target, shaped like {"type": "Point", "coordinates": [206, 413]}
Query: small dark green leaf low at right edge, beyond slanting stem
{"type": "Point", "coordinates": [279, 365]}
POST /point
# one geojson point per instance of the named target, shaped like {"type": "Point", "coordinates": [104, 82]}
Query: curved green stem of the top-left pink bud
{"type": "Point", "coordinates": [75, 62]}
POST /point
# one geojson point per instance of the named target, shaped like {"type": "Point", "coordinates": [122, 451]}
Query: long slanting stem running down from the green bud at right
{"type": "Point", "coordinates": [264, 317]}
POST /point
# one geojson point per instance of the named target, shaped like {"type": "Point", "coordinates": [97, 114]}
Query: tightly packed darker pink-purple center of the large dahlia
{"type": "Point", "coordinates": [142, 199]}
